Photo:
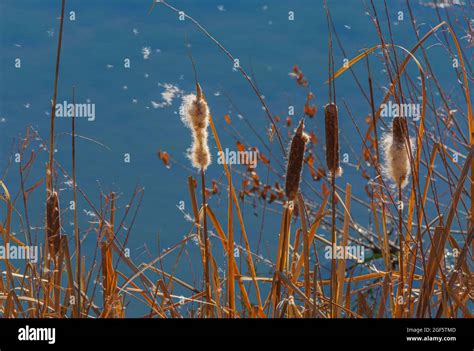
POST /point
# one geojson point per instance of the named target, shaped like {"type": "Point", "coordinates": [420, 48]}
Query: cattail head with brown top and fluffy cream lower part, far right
{"type": "Point", "coordinates": [396, 147]}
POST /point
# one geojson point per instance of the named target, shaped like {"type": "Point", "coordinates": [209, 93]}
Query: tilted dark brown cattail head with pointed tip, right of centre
{"type": "Point", "coordinates": [295, 161]}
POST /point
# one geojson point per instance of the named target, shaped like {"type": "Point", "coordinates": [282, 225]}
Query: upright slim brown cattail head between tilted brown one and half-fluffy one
{"type": "Point", "coordinates": [332, 139]}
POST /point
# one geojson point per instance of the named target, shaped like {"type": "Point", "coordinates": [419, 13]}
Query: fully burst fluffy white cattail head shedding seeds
{"type": "Point", "coordinates": [196, 117]}
